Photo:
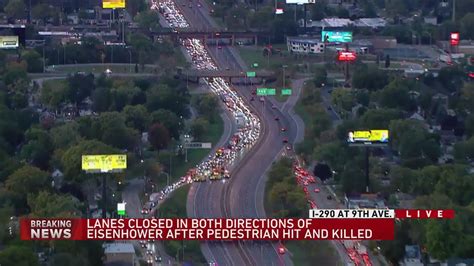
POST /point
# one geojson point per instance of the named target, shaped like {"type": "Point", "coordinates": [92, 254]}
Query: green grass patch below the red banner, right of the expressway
{"type": "Point", "coordinates": [306, 253]}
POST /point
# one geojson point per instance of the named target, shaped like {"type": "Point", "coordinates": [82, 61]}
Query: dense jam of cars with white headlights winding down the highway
{"type": "Point", "coordinates": [217, 165]}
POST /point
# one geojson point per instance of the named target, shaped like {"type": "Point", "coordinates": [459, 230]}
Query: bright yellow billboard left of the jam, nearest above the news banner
{"type": "Point", "coordinates": [104, 163]}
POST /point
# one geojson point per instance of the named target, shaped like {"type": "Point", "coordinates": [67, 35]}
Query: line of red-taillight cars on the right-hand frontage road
{"type": "Point", "coordinates": [356, 252]}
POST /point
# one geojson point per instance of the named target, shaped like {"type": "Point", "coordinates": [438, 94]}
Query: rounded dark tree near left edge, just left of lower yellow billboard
{"type": "Point", "coordinates": [27, 179]}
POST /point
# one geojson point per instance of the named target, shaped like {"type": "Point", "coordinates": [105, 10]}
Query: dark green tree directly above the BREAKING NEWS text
{"type": "Point", "coordinates": [50, 205]}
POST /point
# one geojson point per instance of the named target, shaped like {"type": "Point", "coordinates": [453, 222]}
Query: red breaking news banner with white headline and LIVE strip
{"type": "Point", "coordinates": [323, 225]}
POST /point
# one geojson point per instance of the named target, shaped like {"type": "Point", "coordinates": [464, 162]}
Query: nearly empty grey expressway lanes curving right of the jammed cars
{"type": "Point", "coordinates": [242, 196]}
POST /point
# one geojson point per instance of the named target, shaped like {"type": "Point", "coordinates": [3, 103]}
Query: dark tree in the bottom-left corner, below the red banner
{"type": "Point", "coordinates": [18, 255]}
